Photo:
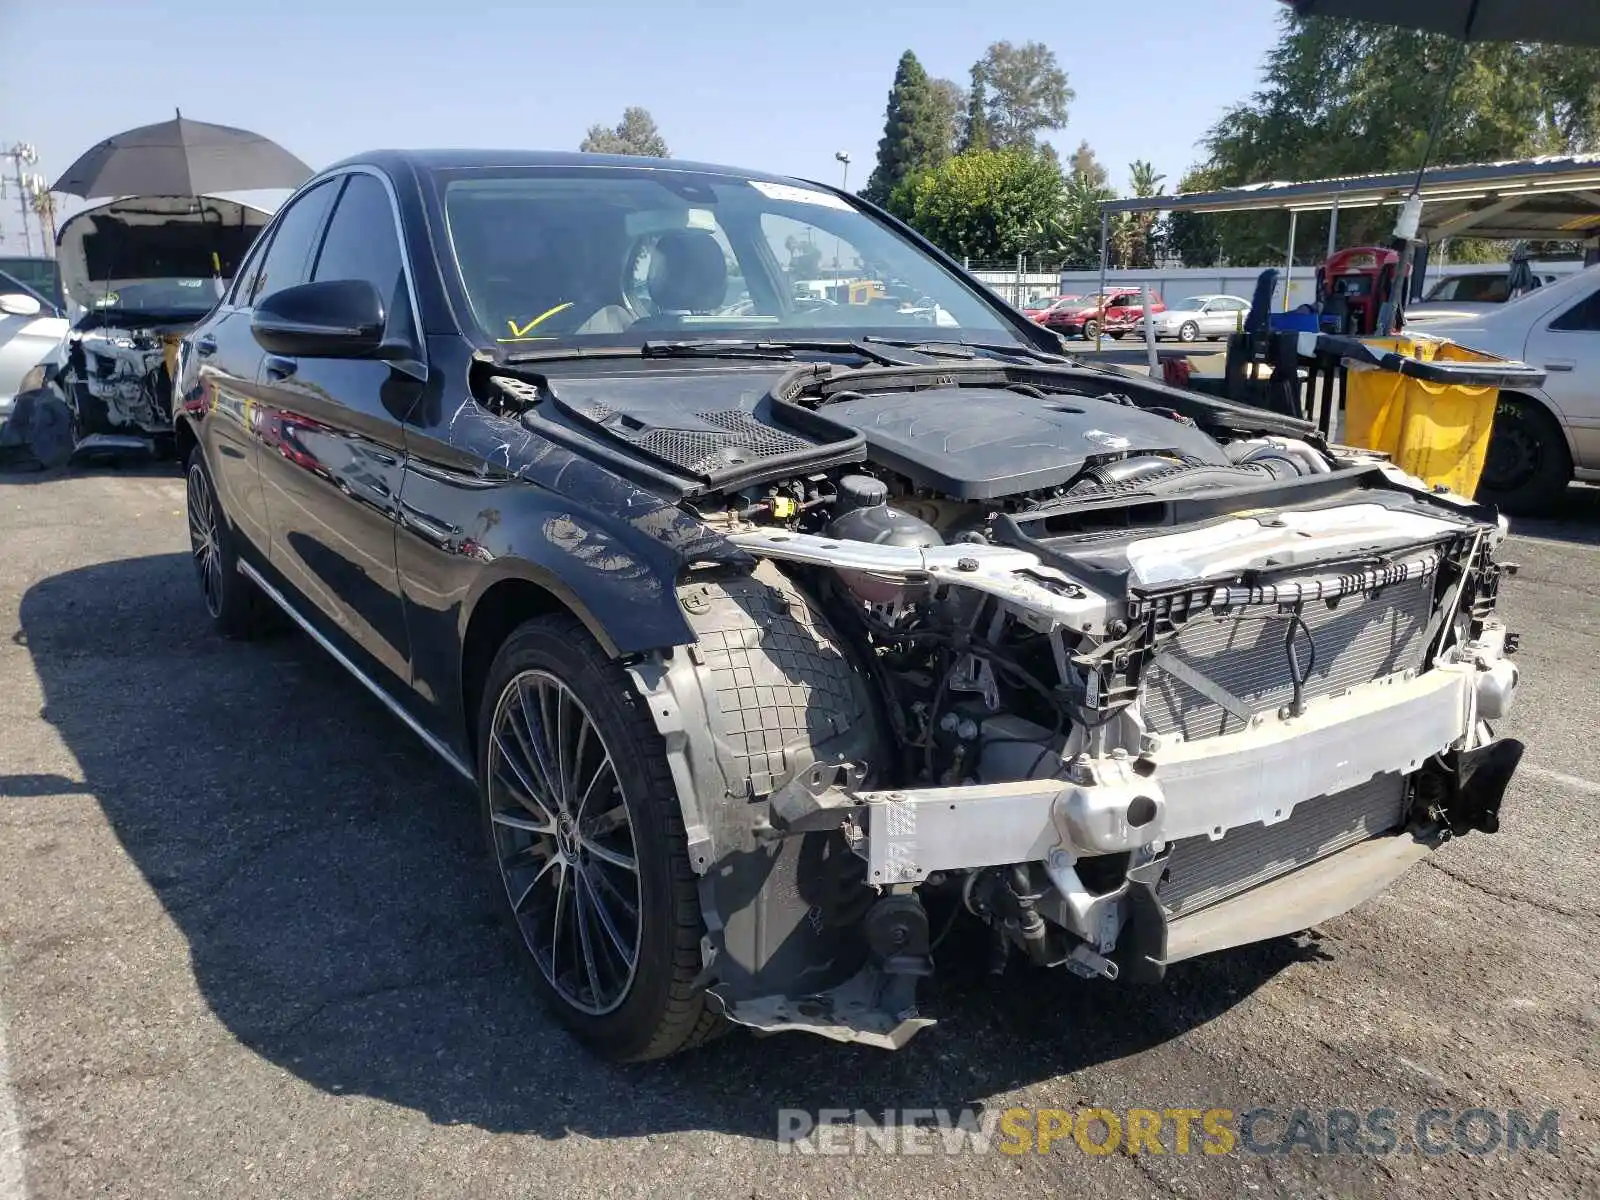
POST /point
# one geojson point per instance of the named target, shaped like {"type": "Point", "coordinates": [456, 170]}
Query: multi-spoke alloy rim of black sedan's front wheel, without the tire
{"type": "Point", "coordinates": [564, 842]}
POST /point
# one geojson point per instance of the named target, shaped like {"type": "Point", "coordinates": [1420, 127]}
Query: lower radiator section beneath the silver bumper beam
{"type": "Point", "coordinates": [1202, 873]}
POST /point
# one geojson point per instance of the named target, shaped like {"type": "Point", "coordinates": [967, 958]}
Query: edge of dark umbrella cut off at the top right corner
{"type": "Point", "coordinates": [1569, 23]}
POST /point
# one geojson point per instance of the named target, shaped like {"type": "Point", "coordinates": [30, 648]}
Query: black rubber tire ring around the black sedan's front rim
{"type": "Point", "coordinates": [566, 650]}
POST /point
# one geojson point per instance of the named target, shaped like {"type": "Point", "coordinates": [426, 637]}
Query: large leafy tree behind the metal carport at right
{"type": "Point", "coordinates": [1350, 98]}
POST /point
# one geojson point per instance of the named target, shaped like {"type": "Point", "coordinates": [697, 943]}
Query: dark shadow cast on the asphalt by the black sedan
{"type": "Point", "coordinates": [343, 918]}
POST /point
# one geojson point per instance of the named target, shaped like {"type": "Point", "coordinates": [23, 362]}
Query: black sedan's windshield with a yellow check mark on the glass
{"type": "Point", "coordinates": [618, 257]}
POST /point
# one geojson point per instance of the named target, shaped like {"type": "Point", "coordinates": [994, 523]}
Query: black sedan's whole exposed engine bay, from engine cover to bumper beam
{"type": "Point", "coordinates": [1121, 673]}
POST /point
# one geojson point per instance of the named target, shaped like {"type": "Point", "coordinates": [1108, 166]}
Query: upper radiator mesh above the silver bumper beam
{"type": "Point", "coordinates": [1244, 654]}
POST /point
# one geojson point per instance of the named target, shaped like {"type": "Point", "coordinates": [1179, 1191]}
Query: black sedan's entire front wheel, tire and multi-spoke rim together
{"type": "Point", "coordinates": [588, 841]}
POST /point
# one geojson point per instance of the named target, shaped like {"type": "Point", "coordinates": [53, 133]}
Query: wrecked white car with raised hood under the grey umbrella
{"type": "Point", "coordinates": [138, 274]}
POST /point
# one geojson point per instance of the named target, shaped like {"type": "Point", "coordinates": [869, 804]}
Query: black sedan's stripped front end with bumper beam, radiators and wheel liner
{"type": "Point", "coordinates": [1118, 748]}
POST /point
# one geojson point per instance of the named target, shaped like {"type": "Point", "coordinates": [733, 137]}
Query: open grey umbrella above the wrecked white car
{"type": "Point", "coordinates": [182, 158]}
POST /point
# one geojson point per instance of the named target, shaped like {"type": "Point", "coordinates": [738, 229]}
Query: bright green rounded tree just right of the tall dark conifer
{"type": "Point", "coordinates": [986, 204]}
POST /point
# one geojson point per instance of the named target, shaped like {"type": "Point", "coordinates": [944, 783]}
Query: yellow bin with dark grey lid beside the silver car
{"type": "Point", "coordinates": [1428, 402]}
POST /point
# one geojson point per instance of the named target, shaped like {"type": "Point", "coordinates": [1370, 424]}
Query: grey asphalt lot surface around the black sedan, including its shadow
{"type": "Point", "coordinates": [249, 948]}
